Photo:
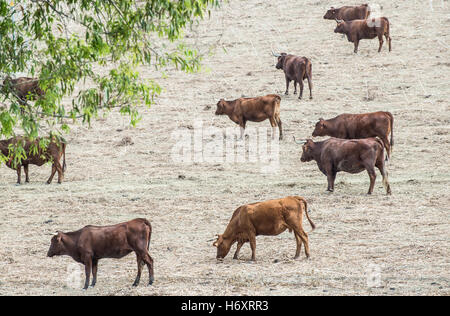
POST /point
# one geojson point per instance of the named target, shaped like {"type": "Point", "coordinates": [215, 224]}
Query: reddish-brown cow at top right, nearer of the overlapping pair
{"type": "Point", "coordinates": [365, 29]}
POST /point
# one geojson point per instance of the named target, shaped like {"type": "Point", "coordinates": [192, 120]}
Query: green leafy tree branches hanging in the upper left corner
{"type": "Point", "coordinates": [90, 51]}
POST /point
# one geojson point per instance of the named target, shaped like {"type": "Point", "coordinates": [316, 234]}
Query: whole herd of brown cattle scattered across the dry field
{"type": "Point", "coordinates": [358, 142]}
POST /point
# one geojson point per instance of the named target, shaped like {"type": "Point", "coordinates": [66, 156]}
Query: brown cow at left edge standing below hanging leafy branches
{"type": "Point", "coordinates": [35, 155]}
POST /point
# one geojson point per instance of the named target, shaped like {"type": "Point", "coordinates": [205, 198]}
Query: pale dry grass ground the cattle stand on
{"type": "Point", "coordinates": [363, 245]}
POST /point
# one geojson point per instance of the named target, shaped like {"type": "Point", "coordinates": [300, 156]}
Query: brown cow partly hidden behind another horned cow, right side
{"type": "Point", "coordinates": [357, 126]}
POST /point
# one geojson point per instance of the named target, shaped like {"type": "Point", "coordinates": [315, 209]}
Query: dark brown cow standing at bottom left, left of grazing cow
{"type": "Point", "coordinates": [92, 243]}
